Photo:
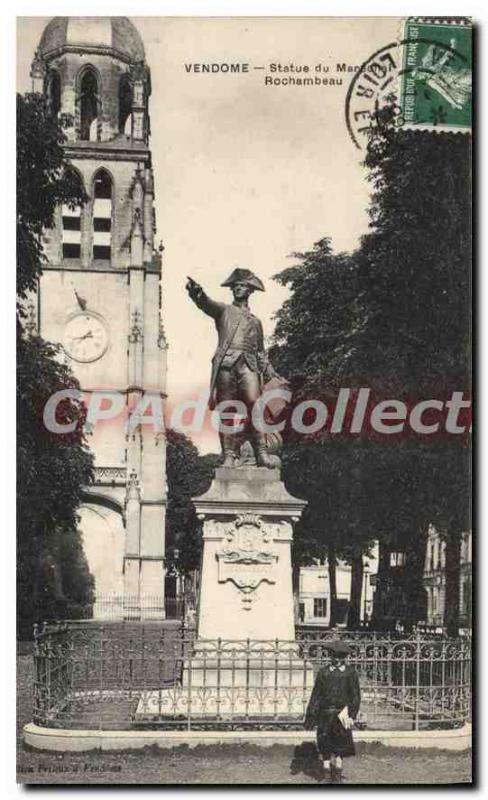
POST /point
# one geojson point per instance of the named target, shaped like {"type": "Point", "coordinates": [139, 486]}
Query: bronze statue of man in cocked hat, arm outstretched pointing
{"type": "Point", "coordinates": [240, 366]}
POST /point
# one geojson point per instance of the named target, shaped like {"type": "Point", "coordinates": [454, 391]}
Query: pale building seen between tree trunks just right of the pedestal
{"type": "Point", "coordinates": [314, 597]}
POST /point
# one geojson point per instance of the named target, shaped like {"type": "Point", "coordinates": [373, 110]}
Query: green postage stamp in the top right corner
{"type": "Point", "coordinates": [436, 85]}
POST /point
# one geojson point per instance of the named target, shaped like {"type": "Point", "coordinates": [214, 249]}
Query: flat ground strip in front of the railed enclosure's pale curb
{"type": "Point", "coordinates": [226, 764]}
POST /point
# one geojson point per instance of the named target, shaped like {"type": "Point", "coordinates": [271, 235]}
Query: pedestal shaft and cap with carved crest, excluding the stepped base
{"type": "Point", "coordinates": [246, 581]}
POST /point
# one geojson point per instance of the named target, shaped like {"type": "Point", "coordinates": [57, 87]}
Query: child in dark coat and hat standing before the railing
{"type": "Point", "coordinates": [332, 708]}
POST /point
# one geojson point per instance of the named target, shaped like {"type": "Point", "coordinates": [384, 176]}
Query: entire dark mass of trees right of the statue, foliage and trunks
{"type": "Point", "coordinates": [392, 316]}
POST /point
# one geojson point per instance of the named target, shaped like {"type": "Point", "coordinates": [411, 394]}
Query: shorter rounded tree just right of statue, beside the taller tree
{"type": "Point", "coordinates": [313, 349]}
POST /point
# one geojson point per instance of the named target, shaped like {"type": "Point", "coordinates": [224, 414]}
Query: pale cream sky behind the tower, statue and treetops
{"type": "Point", "coordinates": [245, 174]}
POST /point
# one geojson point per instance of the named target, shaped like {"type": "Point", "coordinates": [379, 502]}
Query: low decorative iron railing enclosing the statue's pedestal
{"type": "Point", "coordinates": [156, 675]}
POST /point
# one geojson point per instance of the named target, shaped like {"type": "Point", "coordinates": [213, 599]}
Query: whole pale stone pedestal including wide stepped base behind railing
{"type": "Point", "coordinates": [245, 662]}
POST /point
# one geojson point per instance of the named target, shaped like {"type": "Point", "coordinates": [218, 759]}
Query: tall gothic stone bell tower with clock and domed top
{"type": "Point", "coordinates": [100, 295]}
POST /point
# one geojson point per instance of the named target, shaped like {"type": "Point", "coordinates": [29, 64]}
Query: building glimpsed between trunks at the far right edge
{"type": "Point", "coordinates": [435, 579]}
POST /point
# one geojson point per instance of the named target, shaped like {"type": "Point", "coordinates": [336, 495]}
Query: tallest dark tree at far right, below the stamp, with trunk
{"type": "Point", "coordinates": [416, 273]}
